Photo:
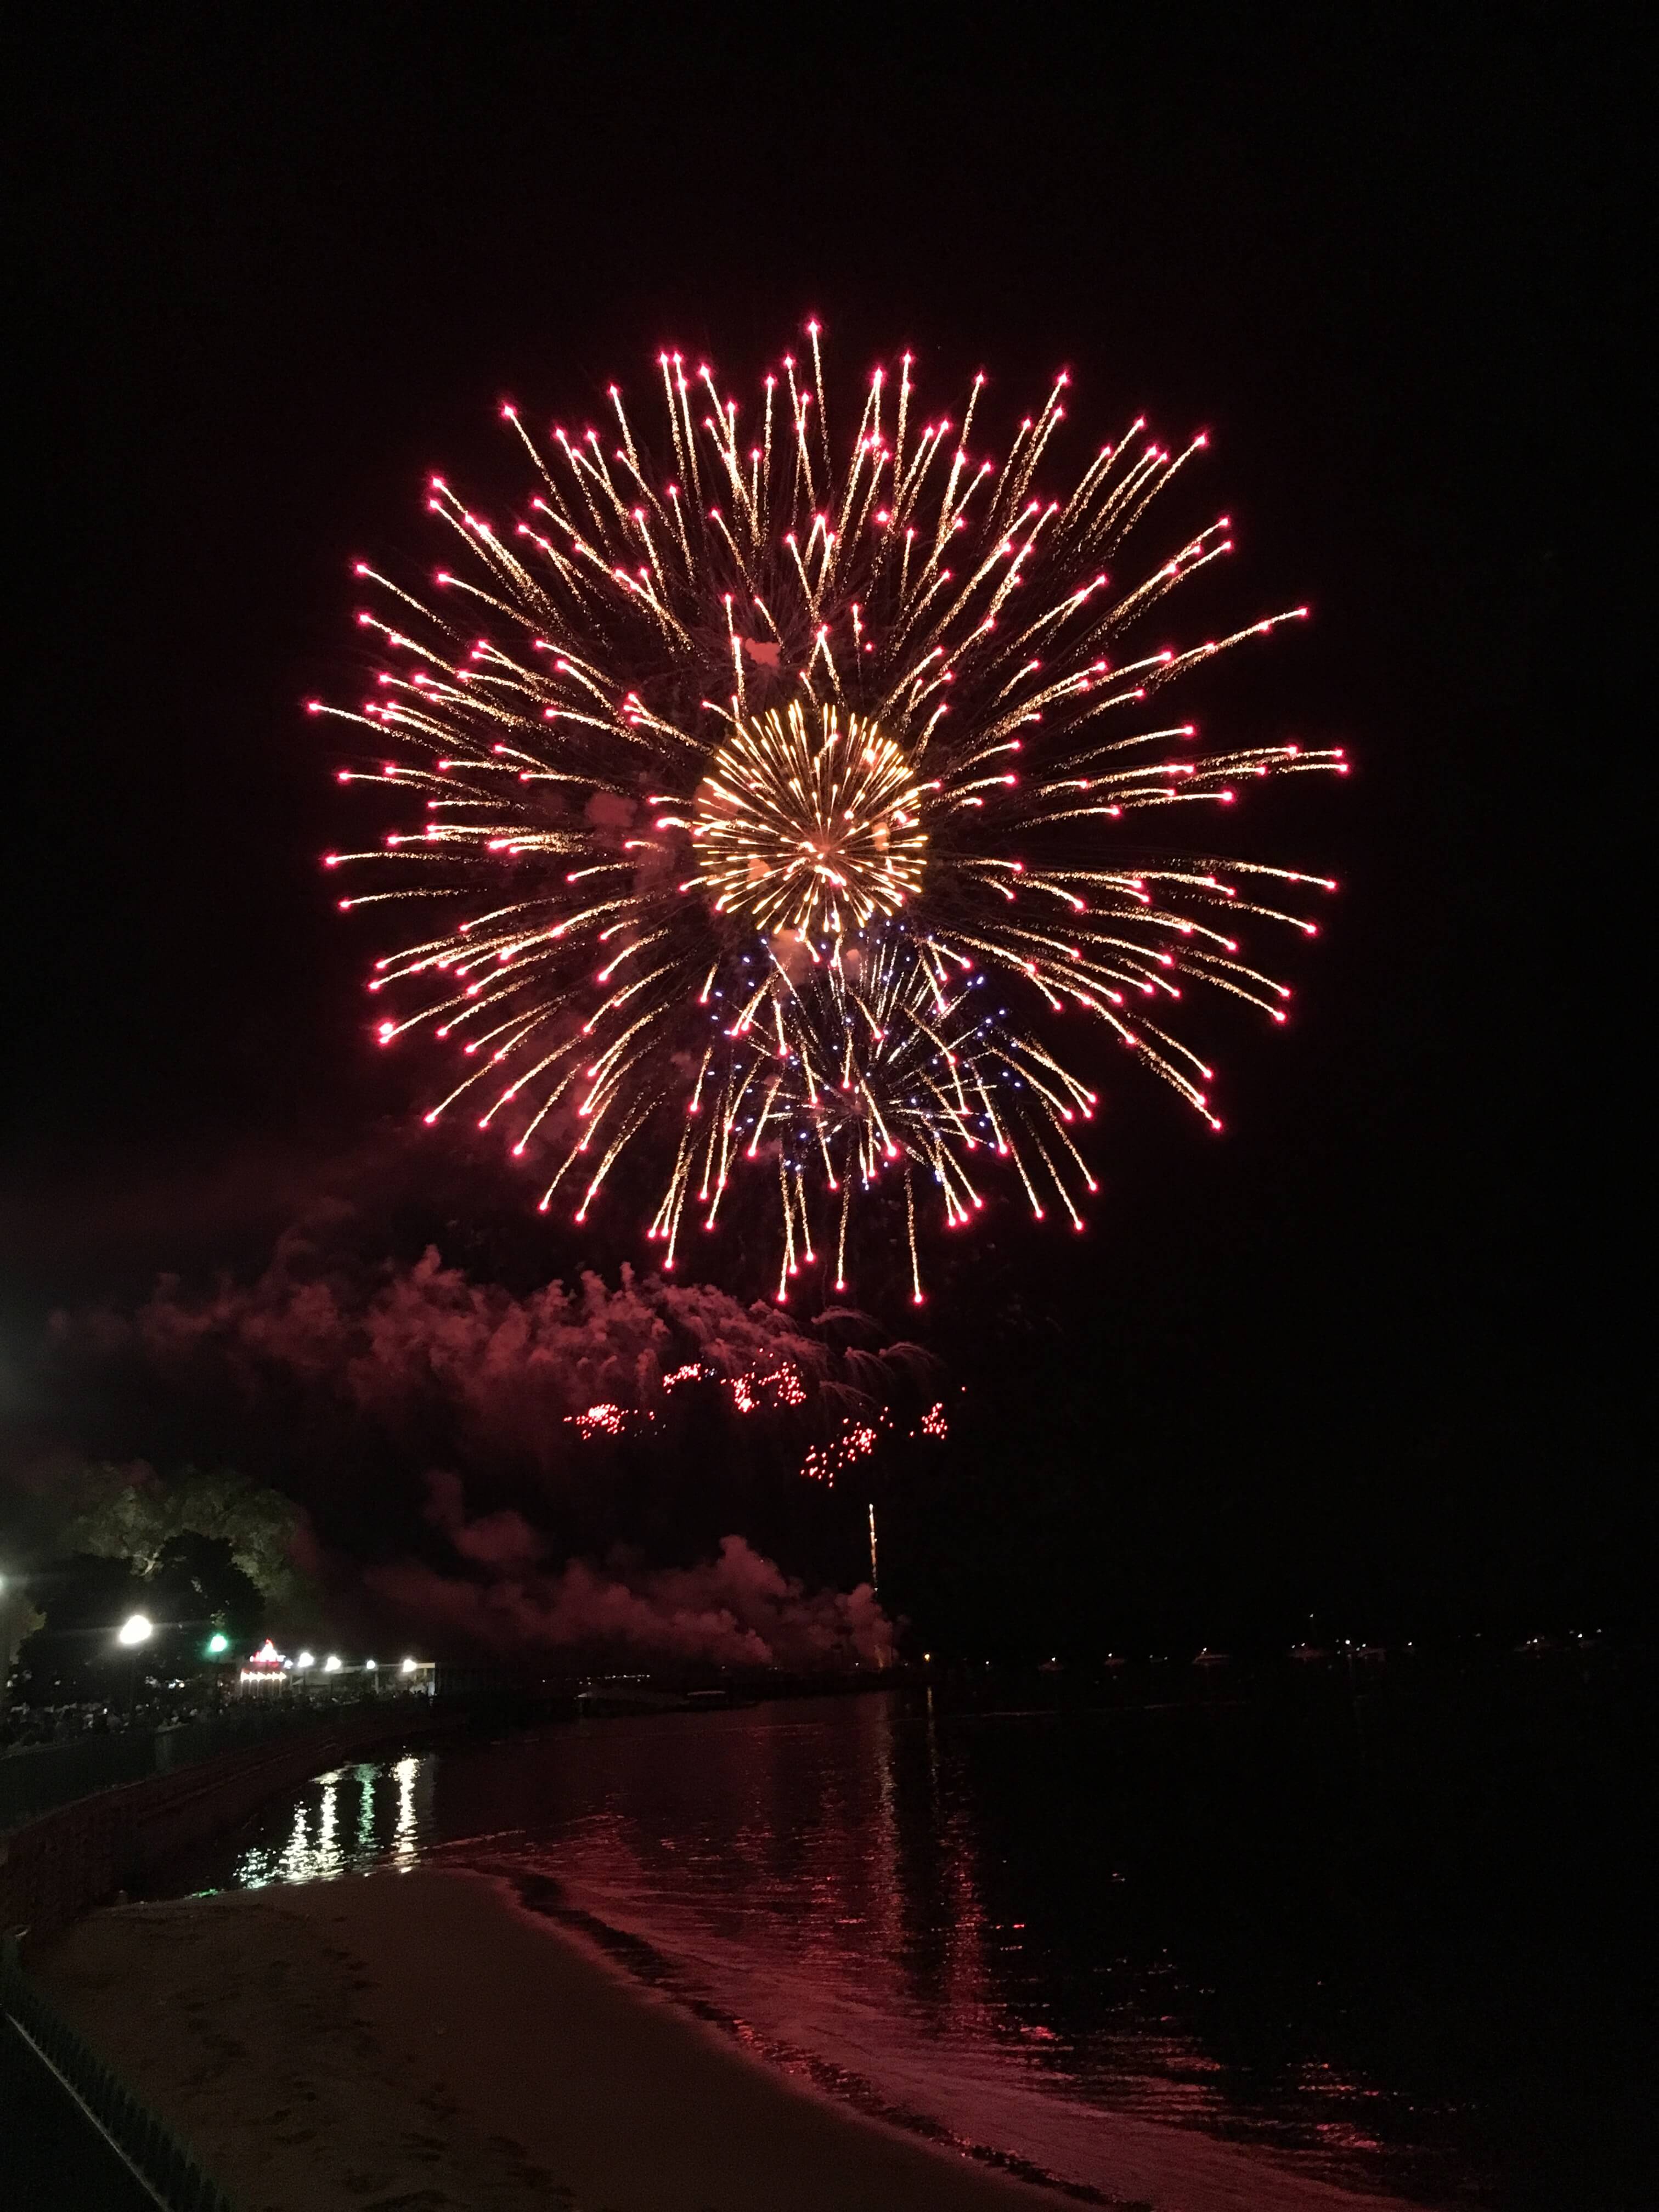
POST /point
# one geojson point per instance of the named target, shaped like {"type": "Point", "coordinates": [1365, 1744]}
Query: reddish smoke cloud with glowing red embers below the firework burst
{"type": "Point", "coordinates": [598, 1446]}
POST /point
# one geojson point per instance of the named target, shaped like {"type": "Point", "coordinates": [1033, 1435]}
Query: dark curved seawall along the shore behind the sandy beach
{"type": "Point", "coordinates": [61, 1866]}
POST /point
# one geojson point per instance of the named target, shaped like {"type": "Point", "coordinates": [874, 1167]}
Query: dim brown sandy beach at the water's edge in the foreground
{"type": "Point", "coordinates": [415, 2043]}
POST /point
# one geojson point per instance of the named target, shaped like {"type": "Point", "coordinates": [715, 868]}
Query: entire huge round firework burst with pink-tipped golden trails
{"type": "Point", "coordinates": [782, 806]}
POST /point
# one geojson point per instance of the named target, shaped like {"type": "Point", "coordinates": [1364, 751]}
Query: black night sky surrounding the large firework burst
{"type": "Point", "coordinates": [1366, 1355]}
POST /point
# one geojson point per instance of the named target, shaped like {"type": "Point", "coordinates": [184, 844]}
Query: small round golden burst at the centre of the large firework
{"type": "Point", "coordinates": [811, 826]}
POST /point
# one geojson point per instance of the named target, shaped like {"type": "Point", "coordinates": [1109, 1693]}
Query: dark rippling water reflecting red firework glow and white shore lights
{"type": "Point", "coordinates": [1014, 1926]}
